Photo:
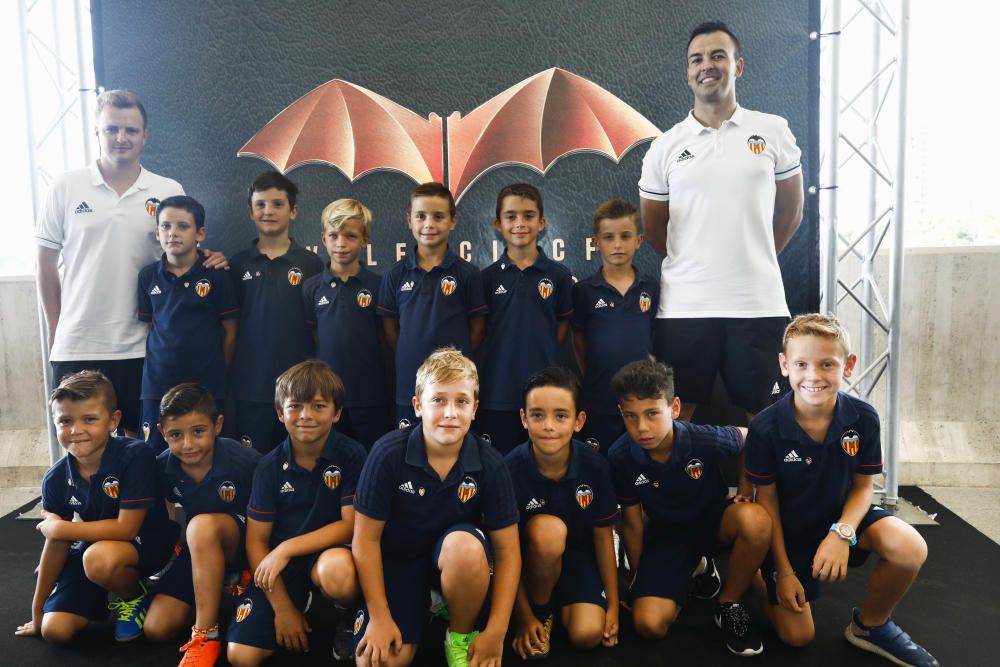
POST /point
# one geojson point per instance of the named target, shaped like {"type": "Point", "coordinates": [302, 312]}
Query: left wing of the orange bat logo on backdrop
{"type": "Point", "coordinates": [353, 129]}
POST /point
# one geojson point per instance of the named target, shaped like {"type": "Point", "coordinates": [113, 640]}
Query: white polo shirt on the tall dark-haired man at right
{"type": "Point", "coordinates": [720, 240]}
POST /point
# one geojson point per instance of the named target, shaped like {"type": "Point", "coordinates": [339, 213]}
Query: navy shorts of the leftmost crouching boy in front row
{"type": "Point", "coordinates": [76, 594]}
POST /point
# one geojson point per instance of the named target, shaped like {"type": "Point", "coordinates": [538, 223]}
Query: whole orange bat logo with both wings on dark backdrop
{"type": "Point", "coordinates": [533, 123]}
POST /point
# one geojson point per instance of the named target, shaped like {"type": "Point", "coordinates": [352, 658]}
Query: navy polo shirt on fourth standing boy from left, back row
{"type": "Point", "coordinates": [433, 308]}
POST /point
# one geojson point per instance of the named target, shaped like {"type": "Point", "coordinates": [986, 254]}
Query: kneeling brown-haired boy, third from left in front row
{"type": "Point", "coordinates": [300, 520]}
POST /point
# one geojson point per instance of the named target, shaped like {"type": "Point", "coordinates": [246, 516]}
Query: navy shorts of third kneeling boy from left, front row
{"type": "Point", "coordinates": [253, 620]}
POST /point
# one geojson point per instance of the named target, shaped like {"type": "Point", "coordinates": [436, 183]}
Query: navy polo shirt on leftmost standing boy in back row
{"type": "Point", "coordinates": [185, 343]}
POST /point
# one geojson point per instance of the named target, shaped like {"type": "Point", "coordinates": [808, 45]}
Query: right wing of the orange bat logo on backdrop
{"type": "Point", "coordinates": [536, 122]}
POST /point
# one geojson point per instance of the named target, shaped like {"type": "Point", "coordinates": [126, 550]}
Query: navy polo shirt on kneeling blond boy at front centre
{"type": "Point", "coordinates": [398, 486]}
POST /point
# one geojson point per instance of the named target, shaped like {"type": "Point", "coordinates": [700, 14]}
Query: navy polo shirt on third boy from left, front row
{"type": "Point", "coordinates": [299, 501]}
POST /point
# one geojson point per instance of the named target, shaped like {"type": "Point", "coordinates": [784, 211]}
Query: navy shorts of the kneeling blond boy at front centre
{"type": "Point", "coordinates": [408, 583]}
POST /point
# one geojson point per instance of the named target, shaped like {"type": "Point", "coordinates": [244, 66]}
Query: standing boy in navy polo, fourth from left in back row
{"type": "Point", "coordinates": [431, 298]}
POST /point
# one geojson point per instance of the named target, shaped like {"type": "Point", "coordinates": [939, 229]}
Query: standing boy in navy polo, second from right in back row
{"type": "Point", "coordinates": [530, 301]}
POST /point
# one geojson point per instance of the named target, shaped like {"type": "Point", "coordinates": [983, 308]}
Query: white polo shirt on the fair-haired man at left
{"type": "Point", "coordinates": [104, 240]}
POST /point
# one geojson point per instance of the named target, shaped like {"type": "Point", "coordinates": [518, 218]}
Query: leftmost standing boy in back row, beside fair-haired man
{"type": "Point", "coordinates": [194, 311]}
